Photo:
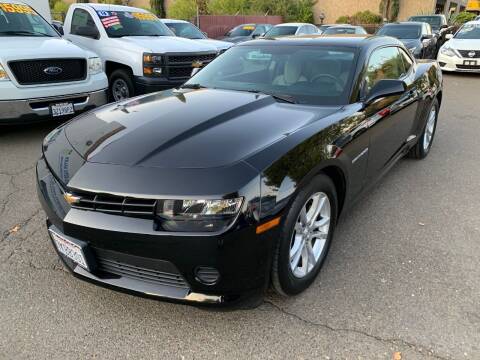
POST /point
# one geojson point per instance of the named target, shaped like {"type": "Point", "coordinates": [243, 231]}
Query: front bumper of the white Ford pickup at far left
{"type": "Point", "coordinates": [38, 109]}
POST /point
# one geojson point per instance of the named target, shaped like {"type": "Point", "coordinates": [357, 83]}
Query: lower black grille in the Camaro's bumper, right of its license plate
{"type": "Point", "coordinates": [154, 276]}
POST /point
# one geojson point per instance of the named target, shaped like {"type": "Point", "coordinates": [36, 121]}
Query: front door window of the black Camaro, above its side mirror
{"type": "Point", "coordinates": [384, 63]}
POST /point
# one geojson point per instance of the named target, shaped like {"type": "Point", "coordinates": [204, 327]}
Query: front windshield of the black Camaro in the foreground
{"type": "Point", "coordinates": [314, 75]}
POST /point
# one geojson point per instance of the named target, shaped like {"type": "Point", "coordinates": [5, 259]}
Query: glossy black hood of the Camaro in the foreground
{"type": "Point", "coordinates": [187, 129]}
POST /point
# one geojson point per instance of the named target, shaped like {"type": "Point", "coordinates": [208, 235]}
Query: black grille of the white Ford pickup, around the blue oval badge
{"type": "Point", "coordinates": [30, 72]}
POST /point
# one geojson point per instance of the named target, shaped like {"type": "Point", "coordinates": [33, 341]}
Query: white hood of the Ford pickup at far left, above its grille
{"type": "Point", "coordinates": [23, 47]}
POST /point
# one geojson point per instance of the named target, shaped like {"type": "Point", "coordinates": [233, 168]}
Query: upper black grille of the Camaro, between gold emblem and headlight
{"type": "Point", "coordinates": [118, 205]}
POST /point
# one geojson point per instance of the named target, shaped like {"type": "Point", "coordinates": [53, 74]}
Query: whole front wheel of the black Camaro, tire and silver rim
{"type": "Point", "coordinates": [305, 237]}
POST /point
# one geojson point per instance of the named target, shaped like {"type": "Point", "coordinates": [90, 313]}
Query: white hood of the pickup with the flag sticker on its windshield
{"type": "Point", "coordinates": [166, 44]}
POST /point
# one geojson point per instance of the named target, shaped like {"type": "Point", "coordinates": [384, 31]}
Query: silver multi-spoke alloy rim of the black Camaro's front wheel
{"type": "Point", "coordinates": [310, 235]}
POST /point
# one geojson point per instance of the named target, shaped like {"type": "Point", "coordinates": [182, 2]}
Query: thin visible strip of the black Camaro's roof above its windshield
{"type": "Point", "coordinates": [350, 40]}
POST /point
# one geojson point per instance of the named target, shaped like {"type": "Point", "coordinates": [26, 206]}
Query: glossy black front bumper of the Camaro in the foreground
{"type": "Point", "coordinates": [242, 258]}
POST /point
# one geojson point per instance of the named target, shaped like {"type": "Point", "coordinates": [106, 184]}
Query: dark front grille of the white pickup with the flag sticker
{"type": "Point", "coordinates": [179, 67]}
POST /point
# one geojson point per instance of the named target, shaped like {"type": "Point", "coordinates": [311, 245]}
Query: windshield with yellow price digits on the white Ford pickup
{"type": "Point", "coordinates": [22, 20]}
